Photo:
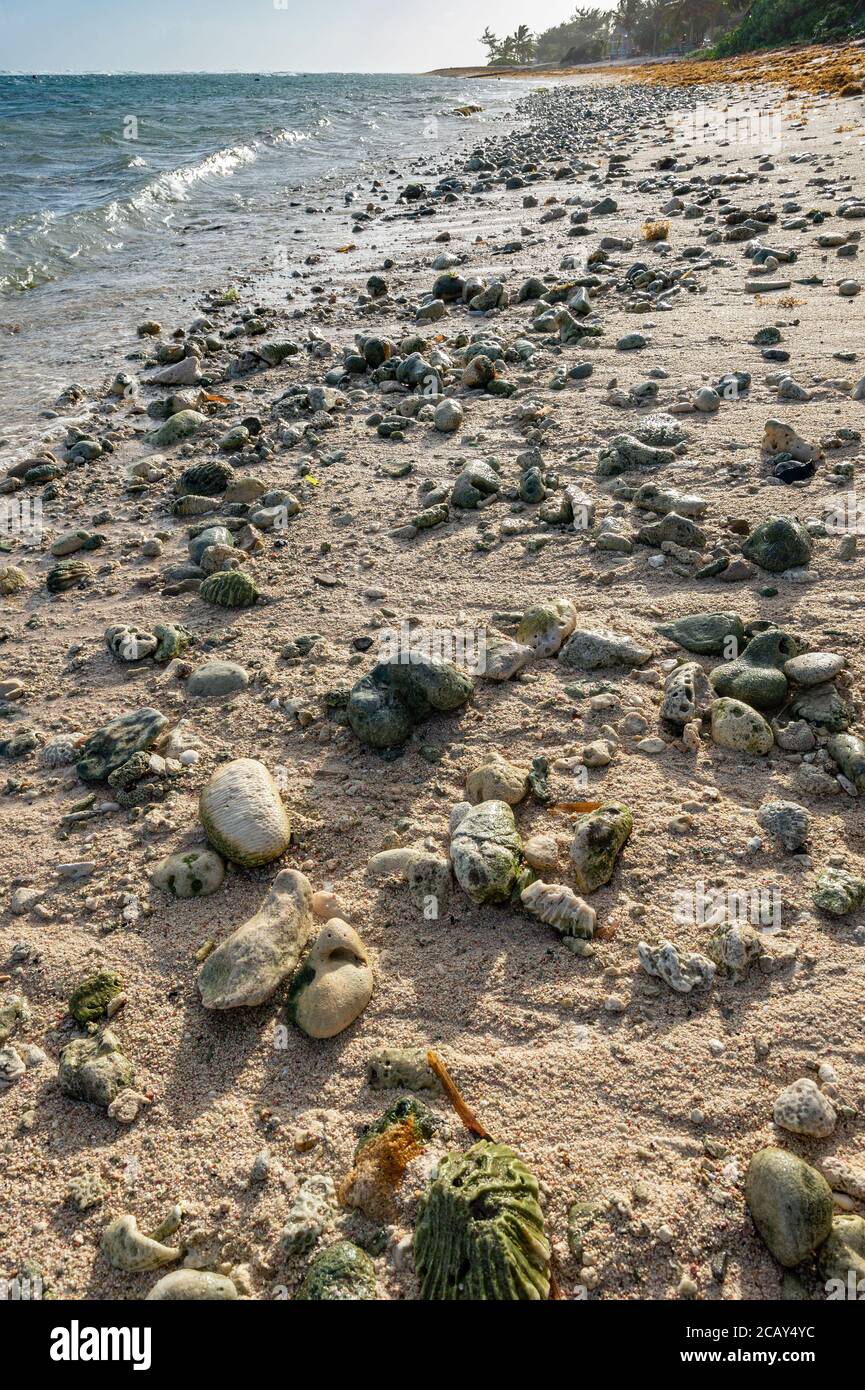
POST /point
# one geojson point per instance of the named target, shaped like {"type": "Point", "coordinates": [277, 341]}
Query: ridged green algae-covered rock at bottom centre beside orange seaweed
{"type": "Point", "coordinates": [480, 1229]}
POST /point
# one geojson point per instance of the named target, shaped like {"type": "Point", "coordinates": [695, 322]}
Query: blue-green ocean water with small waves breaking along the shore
{"type": "Point", "coordinates": [122, 195]}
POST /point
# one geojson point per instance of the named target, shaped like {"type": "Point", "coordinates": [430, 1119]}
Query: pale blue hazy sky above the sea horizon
{"type": "Point", "coordinates": [259, 35]}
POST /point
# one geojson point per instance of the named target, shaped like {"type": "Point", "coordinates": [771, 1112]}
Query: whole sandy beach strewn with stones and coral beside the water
{"type": "Point", "coordinates": [433, 744]}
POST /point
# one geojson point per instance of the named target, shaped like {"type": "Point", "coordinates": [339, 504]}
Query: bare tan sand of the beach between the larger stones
{"type": "Point", "coordinates": [636, 1104]}
